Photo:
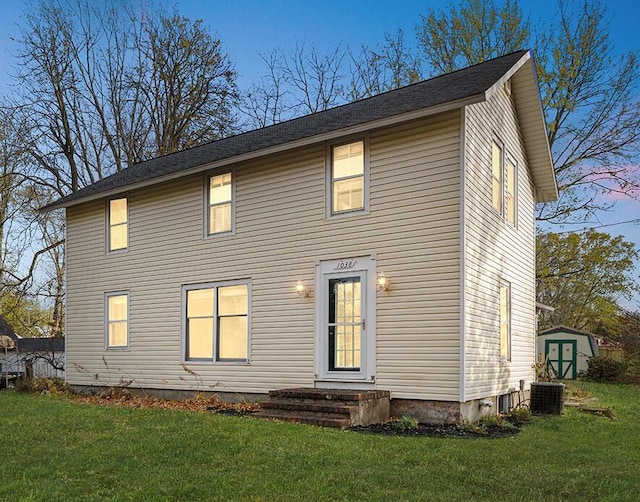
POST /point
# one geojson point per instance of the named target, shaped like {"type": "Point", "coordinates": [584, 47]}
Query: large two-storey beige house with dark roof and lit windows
{"type": "Point", "coordinates": [387, 244]}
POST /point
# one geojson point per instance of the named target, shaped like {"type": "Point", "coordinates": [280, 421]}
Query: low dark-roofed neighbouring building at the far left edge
{"type": "Point", "coordinates": [30, 357]}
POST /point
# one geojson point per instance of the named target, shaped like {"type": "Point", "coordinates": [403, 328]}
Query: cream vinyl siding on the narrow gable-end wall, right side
{"type": "Point", "coordinates": [495, 250]}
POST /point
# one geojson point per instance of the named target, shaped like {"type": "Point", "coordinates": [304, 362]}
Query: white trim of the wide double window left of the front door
{"type": "Point", "coordinates": [214, 359]}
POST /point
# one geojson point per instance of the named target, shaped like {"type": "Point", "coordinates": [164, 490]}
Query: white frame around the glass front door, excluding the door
{"type": "Point", "coordinates": [347, 267]}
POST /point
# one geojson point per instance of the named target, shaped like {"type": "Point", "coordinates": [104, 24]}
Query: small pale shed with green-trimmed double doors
{"type": "Point", "coordinates": [567, 350]}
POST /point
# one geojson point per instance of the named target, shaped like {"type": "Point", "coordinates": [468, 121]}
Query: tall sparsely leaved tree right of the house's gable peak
{"type": "Point", "coordinates": [592, 107]}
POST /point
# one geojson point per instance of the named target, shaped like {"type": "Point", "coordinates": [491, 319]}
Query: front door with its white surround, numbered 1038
{"type": "Point", "coordinates": [345, 323]}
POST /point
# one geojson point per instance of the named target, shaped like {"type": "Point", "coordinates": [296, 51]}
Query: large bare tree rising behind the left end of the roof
{"type": "Point", "coordinates": [106, 87]}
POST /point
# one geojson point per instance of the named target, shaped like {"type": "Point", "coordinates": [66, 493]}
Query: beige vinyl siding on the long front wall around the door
{"type": "Point", "coordinates": [281, 232]}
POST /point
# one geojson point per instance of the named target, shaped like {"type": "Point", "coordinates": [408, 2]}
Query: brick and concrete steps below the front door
{"type": "Point", "coordinates": [327, 407]}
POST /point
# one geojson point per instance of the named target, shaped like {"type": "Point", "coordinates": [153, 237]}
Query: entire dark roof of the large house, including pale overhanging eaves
{"type": "Point", "coordinates": [453, 90]}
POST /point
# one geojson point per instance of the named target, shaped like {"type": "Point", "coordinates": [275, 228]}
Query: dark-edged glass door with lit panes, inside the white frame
{"type": "Point", "coordinates": [346, 323]}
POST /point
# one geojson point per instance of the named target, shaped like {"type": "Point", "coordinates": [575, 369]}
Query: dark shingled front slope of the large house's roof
{"type": "Point", "coordinates": [455, 89]}
